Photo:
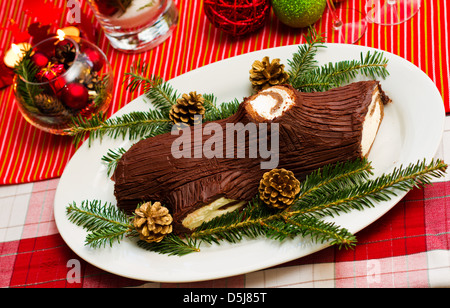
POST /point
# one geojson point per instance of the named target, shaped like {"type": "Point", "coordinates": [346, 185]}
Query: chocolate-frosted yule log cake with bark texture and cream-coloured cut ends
{"type": "Point", "coordinates": [312, 130]}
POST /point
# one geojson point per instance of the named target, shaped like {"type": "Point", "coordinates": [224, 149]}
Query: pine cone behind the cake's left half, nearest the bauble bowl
{"type": "Point", "coordinates": [186, 108]}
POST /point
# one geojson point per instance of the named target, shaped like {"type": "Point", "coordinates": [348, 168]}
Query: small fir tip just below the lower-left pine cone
{"type": "Point", "coordinates": [172, 245]}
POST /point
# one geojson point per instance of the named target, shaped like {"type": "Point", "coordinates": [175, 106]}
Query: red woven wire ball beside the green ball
{"type": "Point", "coordinates": [237, 17]}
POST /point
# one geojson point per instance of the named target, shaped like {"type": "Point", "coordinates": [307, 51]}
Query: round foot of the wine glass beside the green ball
{"type": "Point", "coordinates": [347, 25]}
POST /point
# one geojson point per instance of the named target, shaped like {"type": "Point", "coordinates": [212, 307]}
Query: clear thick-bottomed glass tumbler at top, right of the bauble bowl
{"type": "Point", "coordinates": [135, 25]}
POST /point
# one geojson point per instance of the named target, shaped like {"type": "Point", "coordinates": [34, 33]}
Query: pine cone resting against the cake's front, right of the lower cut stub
{"type": "Point", "coordinates": [278, 188]}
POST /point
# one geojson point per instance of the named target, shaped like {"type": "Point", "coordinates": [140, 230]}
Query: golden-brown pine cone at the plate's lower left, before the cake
{"type": "Point", "coordinates": [152, 221]}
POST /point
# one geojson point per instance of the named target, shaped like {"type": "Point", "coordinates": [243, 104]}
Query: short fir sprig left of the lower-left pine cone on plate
{"type": "Point", "coordinates": [106, 223]}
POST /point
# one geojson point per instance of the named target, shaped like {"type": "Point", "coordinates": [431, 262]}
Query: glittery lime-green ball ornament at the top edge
{"type": "Point", "coordinates": [298, 13]}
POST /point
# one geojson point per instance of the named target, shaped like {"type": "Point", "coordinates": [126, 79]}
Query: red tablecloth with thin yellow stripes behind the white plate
{"type": "Point", "coordinates": [28, 154]}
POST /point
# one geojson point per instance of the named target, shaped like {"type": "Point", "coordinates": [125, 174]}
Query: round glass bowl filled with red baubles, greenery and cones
{"type": "Point", "coordinates": [62, 78]}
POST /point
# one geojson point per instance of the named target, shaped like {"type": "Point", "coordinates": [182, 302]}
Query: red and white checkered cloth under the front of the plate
{"type": "Point", "coordinates": [408, 247]}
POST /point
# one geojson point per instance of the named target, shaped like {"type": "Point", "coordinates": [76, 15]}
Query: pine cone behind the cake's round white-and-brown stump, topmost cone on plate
{"type": "Point", "coordinates": [265, 74]}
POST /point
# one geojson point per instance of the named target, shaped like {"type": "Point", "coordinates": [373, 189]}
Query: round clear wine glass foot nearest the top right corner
{"type": "Point", "coordinates": [391, 12]}
